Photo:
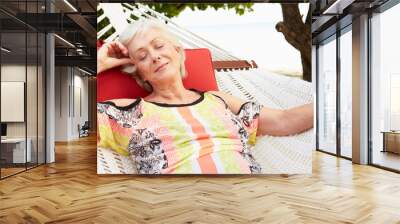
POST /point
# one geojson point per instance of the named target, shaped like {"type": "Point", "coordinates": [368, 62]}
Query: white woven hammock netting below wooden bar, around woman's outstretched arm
{"type": "Point", "coordinates": [289, 155]}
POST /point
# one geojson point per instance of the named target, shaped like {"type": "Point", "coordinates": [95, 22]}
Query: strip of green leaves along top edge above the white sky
{"type": "Point", "coordinates": [174, 9]}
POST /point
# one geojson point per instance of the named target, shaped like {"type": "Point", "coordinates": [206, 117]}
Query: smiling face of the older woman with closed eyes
{"type": "Point", "coordinates": [156, 58]}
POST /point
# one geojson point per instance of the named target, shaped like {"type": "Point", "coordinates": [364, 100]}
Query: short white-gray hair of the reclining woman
{"type": "Point", "coordinates": [143, 25]}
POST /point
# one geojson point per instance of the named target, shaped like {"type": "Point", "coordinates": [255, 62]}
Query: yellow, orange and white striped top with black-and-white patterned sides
{"type": "Point", "coordinates": [203, 137]}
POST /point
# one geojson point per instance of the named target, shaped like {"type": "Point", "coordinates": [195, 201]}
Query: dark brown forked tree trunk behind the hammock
{"type": "Point", "coordinates": [298, 34]}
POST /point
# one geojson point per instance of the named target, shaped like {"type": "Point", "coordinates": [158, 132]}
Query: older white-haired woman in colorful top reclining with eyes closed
{"type": "Point", "coordinates": [179, 131]}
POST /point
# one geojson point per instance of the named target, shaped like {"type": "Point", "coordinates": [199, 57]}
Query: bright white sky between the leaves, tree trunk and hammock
{"type": "Point", "coordinates": [251, 36]}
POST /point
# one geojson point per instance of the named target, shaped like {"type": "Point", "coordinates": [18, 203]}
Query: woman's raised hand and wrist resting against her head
{"type": "Point", "coordinates": [111, 55]}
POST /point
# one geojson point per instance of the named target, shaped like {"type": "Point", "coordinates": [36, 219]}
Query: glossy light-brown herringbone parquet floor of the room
{"type": "Point", "coordinates": [70, 191]}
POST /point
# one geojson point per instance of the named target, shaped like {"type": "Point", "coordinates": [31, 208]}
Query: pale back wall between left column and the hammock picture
{"type": "Point", "coordinates": [70, 83]}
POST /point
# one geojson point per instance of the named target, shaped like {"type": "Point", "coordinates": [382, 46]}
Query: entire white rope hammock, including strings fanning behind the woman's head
{"type": "Point", "coordinates": [289, 155]}
